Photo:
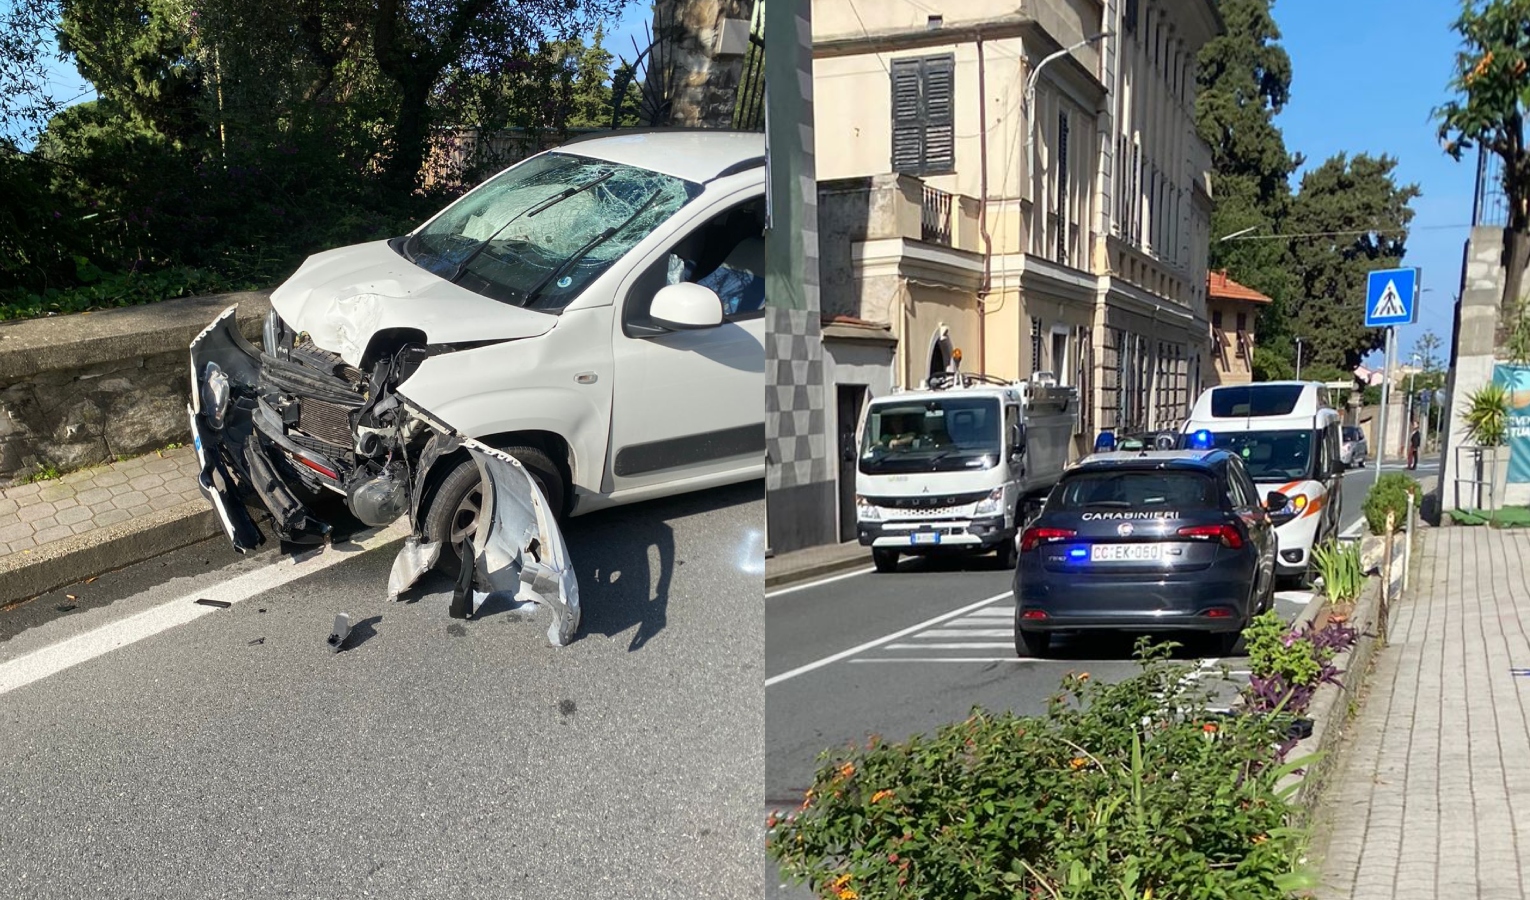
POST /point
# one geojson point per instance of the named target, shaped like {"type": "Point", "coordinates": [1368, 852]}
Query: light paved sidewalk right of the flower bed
{"type": "Point", "coordinates": [1434, 787]}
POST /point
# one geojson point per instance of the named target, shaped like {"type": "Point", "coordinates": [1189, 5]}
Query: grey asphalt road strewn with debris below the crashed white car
{"type": "Point", "coordinates": [230, 754]}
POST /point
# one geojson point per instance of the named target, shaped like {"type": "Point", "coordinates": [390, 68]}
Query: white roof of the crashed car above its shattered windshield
{"type": "Point", "coordinates": [691, 154]}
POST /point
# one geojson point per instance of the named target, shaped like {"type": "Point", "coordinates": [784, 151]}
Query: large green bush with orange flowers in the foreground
{"type": "Point", "coordinates": [1119, 791]}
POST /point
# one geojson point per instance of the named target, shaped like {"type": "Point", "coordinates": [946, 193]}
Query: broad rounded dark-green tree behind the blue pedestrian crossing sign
{"type": "Point", "coordinates": [1349, 218]}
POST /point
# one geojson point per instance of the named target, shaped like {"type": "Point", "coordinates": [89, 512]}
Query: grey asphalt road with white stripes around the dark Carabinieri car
{"type": "Point", "coordinates": [905, 653]}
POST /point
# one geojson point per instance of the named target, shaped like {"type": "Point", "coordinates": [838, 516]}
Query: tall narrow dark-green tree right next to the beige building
{"type": "Point", "coordinates": [1245, 80]}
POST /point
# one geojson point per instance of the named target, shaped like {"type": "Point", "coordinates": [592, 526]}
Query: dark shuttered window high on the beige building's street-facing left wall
{"type": "Point", "coordinates": [923, 116]}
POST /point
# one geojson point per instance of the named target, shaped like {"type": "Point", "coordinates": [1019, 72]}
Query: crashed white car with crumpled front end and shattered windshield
{"type": "Point", "coordinates": [584, 330]}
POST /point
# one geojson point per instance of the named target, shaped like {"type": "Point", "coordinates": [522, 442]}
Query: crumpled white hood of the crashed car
{"type": "Point", "coordinates": [342, 298]}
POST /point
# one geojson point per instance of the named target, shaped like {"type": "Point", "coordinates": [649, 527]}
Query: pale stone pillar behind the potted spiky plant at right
{"type": "Point", "coordinates": [1473, 351]}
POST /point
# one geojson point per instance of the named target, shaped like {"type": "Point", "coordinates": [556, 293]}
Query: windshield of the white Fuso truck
{"type": "Point", "coordinates": [933, 435]}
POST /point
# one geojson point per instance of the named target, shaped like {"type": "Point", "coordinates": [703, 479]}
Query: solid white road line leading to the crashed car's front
{"type": "Point", "coordinates": [83, 648]}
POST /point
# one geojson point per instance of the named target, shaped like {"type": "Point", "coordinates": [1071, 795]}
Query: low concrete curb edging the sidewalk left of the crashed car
{"type": "Point", "coordinates": [103, 550]}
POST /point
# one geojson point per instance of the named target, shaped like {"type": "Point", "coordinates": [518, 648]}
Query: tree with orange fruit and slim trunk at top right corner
{"type": "Point", "coordinates": [1489, 111]}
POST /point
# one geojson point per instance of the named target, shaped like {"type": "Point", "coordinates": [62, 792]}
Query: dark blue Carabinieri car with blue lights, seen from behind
{"type": "Point", "coordinates": [1148, 541]}
